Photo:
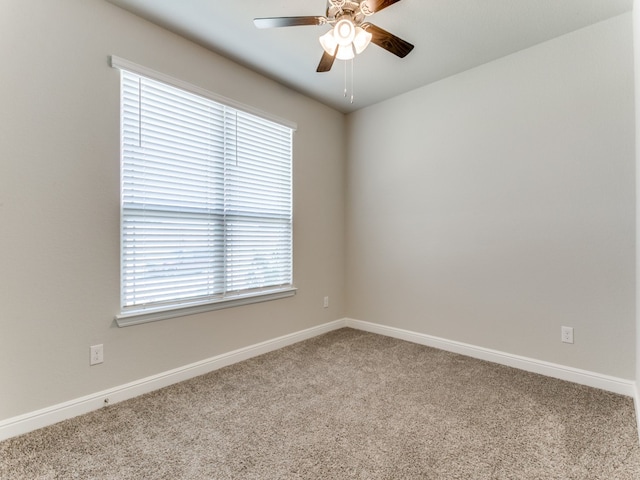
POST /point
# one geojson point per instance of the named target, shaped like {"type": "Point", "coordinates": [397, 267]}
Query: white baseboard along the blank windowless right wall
{"type": "Point", "coordinates": [575, 375]}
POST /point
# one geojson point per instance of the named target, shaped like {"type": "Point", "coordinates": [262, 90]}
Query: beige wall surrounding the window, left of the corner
{"type": "Point", "coordinates": [59, 205]}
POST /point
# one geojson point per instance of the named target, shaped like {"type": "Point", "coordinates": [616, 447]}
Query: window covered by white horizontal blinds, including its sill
{"type": "Point", "coordinates": [206, 203]}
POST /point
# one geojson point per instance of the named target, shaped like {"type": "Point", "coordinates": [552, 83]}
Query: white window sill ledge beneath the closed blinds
{"type": "Point", "coordinates": [136, 317]}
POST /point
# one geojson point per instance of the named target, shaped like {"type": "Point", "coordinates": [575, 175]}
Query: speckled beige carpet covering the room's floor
{"type": "Point", "coordinates": [346, 405]}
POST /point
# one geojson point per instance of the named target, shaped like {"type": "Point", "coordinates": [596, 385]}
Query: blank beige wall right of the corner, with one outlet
{"type": "Point", "coordinates": [497, 205]}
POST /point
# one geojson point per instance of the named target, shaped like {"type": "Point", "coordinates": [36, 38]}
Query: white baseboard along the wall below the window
{"type": "Point", "coordinates": [48, 416]}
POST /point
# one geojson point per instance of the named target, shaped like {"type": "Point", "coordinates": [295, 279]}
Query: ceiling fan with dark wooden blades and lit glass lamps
{"type": "Point", "coordinates": [350, 33]}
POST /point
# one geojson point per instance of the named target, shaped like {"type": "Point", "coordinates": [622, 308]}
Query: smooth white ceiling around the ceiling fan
{"type": "Point", "coordinates": [450, 36]}
